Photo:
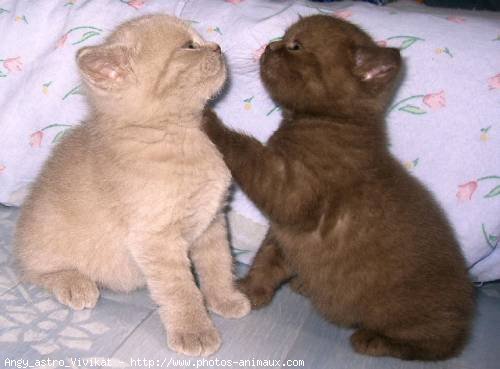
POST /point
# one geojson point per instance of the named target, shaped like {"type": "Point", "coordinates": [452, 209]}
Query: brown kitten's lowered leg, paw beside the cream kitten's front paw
{"type": "Point", "coordinates": [269, 270]}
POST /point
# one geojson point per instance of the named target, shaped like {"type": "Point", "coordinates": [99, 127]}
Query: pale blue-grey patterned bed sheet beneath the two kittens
{"type": "Point", "coordinates": [123, 328]}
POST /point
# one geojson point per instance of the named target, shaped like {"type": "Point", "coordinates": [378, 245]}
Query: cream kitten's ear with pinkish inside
{"type": "Point", "coordinates": [105, 67]}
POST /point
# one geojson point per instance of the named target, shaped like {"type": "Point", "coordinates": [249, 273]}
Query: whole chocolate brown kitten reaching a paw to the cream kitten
{"type": "Point", "coordinates": [363, 239]}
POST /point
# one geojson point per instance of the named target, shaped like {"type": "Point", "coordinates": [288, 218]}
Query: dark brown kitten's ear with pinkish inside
{"type": "Point", "coordinates": [376, 65]}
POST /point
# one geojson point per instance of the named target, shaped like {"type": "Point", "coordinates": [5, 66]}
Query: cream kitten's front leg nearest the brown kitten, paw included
{"type": "Point", "coordinates": [213, 263]}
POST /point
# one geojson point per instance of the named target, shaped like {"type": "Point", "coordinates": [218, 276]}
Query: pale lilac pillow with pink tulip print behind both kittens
{"type": "Point", "coordinates": [443, 123]}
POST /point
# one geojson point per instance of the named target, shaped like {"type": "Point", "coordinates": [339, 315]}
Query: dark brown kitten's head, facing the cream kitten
{"type": "Point", "coordinates": [324, 65]}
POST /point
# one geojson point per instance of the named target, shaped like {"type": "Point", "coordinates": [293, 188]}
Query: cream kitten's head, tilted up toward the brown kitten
{"type": "Point", "coordinates": [152, 64]}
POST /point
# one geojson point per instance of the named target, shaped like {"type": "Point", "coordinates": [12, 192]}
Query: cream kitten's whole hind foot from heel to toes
{"type": "Point", "coordinates": [70, 287]}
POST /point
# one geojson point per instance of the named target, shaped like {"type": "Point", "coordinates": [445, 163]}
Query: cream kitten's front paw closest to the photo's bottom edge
{"type": "Point", "coordinates": [194, 342]}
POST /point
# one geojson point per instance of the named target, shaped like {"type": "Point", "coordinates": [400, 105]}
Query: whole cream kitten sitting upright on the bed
{"type": "Point", "coordinates": [135, 194]}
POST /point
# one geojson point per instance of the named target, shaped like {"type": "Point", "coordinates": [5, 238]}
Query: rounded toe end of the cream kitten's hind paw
{"type": "Point", "coordinates": [78, 293]}
